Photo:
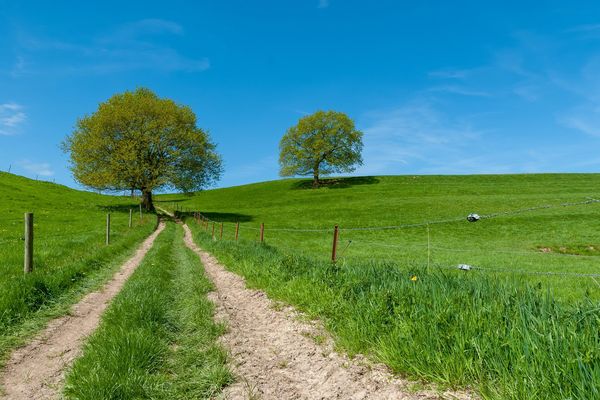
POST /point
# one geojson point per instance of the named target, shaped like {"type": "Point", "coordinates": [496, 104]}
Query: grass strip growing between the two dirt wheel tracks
{"type": "Point", "coordinates": [157, 339]}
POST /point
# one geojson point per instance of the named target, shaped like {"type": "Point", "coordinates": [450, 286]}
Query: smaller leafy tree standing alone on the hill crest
{"type": "Point", "coordinates": [323, 143]}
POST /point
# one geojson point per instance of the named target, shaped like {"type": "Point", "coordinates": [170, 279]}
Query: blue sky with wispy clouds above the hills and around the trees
{"type": "Point", "coordinates": [437, 87]}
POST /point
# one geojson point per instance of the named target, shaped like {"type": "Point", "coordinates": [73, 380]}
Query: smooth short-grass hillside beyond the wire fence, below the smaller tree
{"type": "Point", "coordinates": [555, 240]}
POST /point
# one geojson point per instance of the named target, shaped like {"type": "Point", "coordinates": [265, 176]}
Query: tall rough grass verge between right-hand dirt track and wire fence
{"type": "Point", "coordinates": [506, 338]}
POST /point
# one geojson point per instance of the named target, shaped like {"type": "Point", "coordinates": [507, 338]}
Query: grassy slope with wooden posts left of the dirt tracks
{"type": "Point", "coordinates": [70, 254]}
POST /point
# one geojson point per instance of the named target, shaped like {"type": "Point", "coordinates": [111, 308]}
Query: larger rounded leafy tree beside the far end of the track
{"type": "Point", "coordinates": [136, 140]}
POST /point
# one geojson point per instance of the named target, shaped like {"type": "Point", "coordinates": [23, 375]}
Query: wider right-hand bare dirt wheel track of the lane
{"type": "Point", "coordinates": [277, 354]}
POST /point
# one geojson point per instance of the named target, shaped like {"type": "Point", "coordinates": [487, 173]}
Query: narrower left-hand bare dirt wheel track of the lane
{"type": "Point", "coordinates": [37, 370]}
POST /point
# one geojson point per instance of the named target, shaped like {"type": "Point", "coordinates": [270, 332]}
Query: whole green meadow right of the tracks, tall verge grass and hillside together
{"type": "Point", "coordinates": [522, 324]}
